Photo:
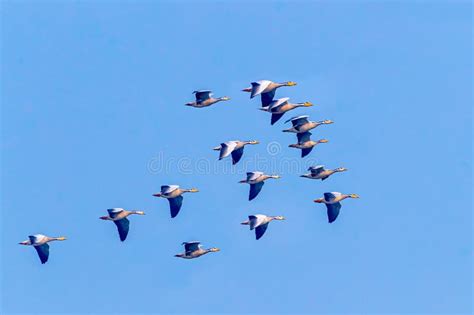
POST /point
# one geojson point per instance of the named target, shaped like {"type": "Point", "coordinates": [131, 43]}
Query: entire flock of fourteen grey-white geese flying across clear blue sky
{"type": "Point", "coordinates": [301, 126]}
